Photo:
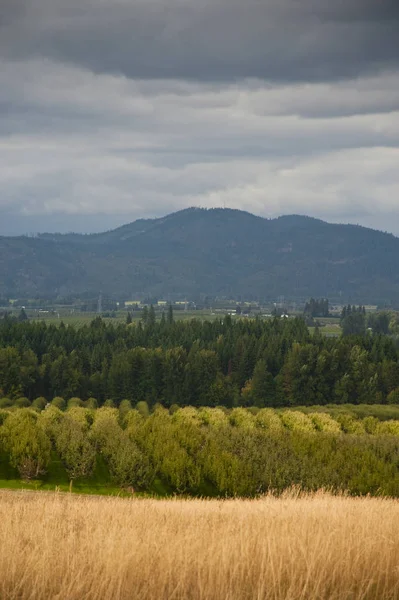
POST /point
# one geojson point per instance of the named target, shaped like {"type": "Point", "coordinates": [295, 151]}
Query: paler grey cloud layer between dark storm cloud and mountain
{"type": "Point", "coordinates": [91, 145]}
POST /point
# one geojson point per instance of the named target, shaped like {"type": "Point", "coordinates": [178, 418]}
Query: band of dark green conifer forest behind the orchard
{"type": "Point", "coordinates": [222, 363]}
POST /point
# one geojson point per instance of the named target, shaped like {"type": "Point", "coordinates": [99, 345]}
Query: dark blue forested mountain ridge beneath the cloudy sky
{"type": "Point", "coordinates": [215, 252]}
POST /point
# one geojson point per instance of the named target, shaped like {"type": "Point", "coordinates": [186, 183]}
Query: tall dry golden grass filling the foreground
{"type": "Point", "coordinates": [84, 548]}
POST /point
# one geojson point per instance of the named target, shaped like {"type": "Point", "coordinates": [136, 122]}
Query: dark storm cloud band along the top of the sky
{"type": "Point", "coordinates": [276, 40]}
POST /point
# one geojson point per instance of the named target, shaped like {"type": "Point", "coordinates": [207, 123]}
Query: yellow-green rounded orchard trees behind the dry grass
{"type": "Point", "coordinates": [207, 451]}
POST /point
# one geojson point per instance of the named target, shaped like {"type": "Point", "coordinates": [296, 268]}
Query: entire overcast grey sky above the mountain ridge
{"type": "Point", "coordinates": [111, 110]}
